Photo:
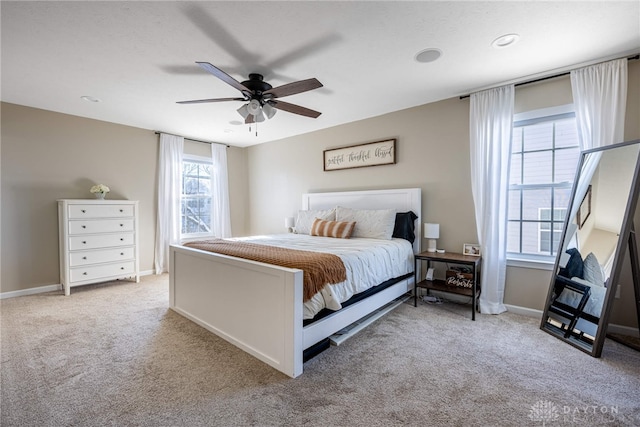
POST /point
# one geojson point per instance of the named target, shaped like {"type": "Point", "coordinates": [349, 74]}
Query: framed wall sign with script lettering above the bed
{"type": "Point", "coordinates": [358, 156]}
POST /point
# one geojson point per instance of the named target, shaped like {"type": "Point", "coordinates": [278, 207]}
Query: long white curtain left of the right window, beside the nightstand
{"type": "Point", "coordinates": [490, 129]}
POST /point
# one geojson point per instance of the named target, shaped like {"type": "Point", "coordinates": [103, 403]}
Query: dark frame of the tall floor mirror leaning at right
{"type": "Point", "coordinates": [626, 233]}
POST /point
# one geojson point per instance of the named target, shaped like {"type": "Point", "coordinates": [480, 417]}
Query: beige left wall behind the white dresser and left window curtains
{"type": "Point", "coordinates": [48, 156]}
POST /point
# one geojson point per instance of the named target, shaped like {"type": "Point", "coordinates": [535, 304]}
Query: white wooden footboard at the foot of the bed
{"type": "Point", "coordinates": [256, 307]}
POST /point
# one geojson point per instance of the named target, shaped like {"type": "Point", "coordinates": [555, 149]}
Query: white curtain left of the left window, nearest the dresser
{"type": "Point", "coordinates": [169, 194]}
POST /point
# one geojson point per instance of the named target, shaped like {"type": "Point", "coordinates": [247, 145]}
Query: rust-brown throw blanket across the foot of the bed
{"type": "Point", "coordinates": [319, 268]}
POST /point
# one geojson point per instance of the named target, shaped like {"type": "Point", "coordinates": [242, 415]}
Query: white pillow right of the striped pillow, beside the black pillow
{"type": "Point", "coordinates": [374, 224]}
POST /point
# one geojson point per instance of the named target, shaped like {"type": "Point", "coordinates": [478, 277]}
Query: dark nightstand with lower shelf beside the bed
{"type": "Point", "coordinates": [475, 262]}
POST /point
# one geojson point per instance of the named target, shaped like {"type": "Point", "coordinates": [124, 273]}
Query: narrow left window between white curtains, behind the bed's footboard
{"type": "Point", "coordinates": [196, 196]}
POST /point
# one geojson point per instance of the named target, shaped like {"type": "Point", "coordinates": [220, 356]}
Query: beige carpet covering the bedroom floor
{"type": "Point", "coordinates": [115, 355]}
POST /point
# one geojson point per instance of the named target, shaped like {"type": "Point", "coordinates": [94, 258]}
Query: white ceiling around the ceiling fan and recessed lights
{"type": "Point", "coordinates": [138, 58]}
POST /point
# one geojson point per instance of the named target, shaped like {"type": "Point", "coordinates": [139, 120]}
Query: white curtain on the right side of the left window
{"type": "Point", "coordinates": [220, 211]}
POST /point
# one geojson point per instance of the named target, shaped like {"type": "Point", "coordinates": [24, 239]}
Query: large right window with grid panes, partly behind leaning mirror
{"type": "Point", "coordinates": [544, 157]}
